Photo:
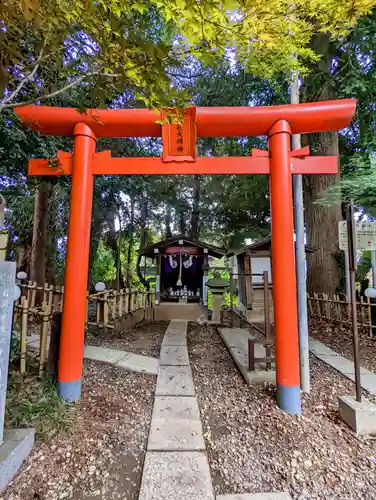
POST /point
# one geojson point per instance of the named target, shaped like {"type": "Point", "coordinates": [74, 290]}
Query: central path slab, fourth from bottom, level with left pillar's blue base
{"type": "Point", "coordinates": [175, 381]}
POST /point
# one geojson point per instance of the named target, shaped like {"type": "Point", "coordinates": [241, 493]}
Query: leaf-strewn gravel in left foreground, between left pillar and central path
{"type": "Point", "coordinates": [102, 457]}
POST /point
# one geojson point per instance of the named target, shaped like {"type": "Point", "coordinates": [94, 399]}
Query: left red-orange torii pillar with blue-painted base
{"type": "Point", "coordinates": [77, 264]}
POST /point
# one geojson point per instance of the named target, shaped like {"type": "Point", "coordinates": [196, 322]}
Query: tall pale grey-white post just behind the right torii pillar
{"type": "Point", "coordinates": [300, 260]}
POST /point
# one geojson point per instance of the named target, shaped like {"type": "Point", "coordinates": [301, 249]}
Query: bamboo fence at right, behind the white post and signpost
{"type": "Point", "coordinates": [336, 310]}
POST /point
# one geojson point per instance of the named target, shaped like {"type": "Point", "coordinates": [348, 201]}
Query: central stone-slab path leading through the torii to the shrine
{"type": "Point", "coordinates": [176, 465]}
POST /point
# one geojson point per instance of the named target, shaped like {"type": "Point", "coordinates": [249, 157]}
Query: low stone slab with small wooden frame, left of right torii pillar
{"type": "Point", "coordinates": [236, 340]}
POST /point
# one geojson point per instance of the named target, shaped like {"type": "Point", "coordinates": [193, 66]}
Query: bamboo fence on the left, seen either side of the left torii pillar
{"type": "Point", "coordinates": [34, 310]}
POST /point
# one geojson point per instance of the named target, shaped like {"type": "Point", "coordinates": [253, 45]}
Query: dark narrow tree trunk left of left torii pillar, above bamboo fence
{"type": "Point", "coordinates": [40, 231]}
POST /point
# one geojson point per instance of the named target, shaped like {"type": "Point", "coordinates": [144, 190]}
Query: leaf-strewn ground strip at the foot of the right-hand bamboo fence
{"type": "Point", "coordinates": [340, 340]}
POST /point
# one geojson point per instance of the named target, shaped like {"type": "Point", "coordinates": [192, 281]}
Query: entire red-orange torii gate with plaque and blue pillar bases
{"type": "Point", "coordinates": [179, 157]}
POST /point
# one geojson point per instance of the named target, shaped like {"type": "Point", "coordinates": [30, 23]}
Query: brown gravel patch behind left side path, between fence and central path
{"type": "Point", "coordinates": [145, 339]}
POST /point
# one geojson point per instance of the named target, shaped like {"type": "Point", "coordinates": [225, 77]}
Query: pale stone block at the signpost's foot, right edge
{"type": "Point", "coordinates": [360, 416]}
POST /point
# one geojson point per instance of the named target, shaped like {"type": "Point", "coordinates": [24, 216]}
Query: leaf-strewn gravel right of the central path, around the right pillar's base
{"type": "Point", "coordinates": [254, 447]}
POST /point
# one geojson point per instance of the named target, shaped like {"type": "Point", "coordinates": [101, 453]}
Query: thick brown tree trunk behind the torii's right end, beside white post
{"type": "Point", "coordinates": [324, 269]}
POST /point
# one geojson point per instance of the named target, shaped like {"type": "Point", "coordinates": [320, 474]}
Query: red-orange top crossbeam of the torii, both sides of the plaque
{"type": "Point", "coordinates": [210, 122]}
